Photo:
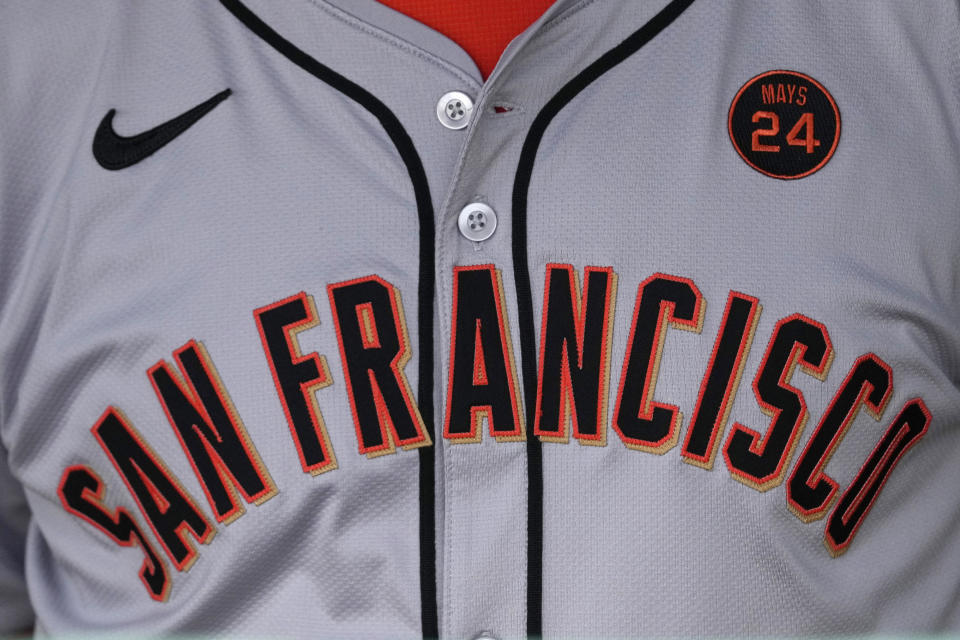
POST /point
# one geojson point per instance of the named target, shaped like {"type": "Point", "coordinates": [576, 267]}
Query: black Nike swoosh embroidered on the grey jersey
{"type": "Point", "coordinates": [115, 152]}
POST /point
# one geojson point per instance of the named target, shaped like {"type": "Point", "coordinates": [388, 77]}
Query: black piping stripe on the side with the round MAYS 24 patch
{"type": "Point", "coordinates": [521, 273]}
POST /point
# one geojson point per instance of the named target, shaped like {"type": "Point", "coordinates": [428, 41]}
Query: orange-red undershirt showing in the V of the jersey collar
{"type": "Point", "coordinates": [483, 29]}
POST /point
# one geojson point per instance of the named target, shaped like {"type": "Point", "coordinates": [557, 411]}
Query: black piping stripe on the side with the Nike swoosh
{"type": "Point", "coordinates": [425, 292]}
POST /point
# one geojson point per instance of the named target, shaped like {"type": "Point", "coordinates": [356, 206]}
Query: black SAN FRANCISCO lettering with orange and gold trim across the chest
{"type": "Point", "coordinates": [483, 400]}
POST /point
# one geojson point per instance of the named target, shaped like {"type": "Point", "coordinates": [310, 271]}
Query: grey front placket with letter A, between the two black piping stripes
{"type": "Point", "coordinates": [483, 467]}
